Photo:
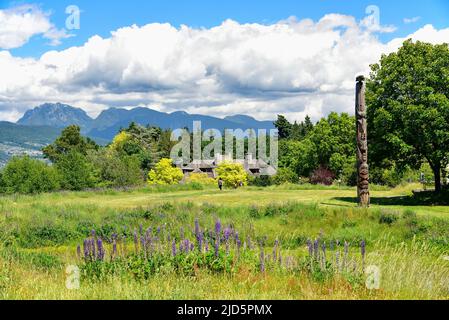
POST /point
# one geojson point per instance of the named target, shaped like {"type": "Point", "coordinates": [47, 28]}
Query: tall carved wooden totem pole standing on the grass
{"type": "Point", "coordinates": [362, 144]}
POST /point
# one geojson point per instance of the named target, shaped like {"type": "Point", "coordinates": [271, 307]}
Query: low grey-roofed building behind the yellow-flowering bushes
{"type": "Point", "coordinates": [254, 167]}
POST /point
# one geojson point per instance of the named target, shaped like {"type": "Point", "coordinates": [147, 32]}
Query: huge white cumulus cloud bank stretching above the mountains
{"type": "Point", "coordinates": [293, 67]}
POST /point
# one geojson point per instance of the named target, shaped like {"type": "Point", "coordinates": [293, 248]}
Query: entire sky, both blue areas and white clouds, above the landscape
{"type": "Point", "coordinates": [210, 57]}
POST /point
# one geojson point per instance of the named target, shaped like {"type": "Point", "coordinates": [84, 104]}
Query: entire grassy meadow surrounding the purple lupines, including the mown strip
{"type": "Point", "coordinates": [408, 242]}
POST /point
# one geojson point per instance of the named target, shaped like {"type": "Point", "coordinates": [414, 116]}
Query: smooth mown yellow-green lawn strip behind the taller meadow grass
{"type": "Point", "coordinates": [382, 197]}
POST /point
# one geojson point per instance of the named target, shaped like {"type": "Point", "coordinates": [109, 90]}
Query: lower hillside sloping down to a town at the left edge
{"type": "Point", "coordinates": [20, 140]}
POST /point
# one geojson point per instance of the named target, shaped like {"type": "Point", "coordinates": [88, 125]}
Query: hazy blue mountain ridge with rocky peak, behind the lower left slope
{"type": "Point", "coordinates": [109, 122]}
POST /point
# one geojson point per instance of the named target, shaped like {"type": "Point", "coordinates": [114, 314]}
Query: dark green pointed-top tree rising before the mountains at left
{"type": "Point", "coordinates": [69, 140]}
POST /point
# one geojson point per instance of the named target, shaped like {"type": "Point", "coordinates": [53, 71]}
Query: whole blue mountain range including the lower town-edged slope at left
{"type": "Point", "coordinates": [41, 125]}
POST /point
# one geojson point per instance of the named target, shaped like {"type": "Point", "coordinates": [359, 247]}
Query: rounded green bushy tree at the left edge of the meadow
{"type": "Point", "coordinates": [26, 175]}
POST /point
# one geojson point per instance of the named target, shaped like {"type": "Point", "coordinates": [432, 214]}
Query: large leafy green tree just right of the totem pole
{"type": "Point", "coordinates": [408, 107]}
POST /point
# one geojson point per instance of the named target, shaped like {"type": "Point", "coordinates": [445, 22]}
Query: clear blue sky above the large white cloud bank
{"type": "Point", "coordinates": [100, 17]}
